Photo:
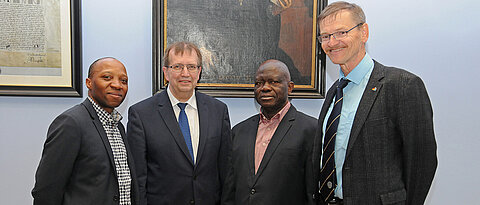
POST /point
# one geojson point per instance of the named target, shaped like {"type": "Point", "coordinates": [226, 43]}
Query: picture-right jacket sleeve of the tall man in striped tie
{"type": "Point", "coordinates": [419, 146]}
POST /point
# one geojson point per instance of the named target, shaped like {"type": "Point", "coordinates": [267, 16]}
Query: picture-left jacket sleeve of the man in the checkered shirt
{"type": "Point", "coordinates": [58, 159]}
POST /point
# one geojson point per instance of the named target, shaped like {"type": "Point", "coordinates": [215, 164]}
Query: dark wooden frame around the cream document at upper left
{"type": "Point", "coordinates": [75, 90]}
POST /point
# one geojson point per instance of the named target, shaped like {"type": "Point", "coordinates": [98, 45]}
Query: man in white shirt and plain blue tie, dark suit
{"type": "Point", "coordinates": [182, 161]}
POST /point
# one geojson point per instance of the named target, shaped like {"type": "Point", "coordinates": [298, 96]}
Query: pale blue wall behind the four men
{"type": "Point", "coordinates": [437, 40]}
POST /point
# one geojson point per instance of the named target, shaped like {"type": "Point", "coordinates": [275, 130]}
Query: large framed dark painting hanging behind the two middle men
{"type": "Point", "coordinates": [236, 36]}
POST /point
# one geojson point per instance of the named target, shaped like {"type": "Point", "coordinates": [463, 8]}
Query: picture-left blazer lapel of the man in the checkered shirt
{"type": "Point", "coordinates": [101, 132]}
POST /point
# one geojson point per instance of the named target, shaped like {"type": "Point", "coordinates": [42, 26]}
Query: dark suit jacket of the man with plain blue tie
{"type": "Point", "coordinates": [165, 171]}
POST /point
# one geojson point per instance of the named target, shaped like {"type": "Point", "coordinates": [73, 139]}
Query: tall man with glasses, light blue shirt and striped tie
{"type": "Point", "coordinates": [384, 149]}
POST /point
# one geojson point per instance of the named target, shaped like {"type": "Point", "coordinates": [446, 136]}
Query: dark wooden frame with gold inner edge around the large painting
{"type": "Point", "coordinates": [315, 90]}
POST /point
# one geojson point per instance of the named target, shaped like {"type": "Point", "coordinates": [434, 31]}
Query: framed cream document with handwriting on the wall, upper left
{"type": "Point", "coordinates": [40, 48]}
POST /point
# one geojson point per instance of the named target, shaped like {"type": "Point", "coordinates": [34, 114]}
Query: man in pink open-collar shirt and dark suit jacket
{"type": "Point", "coordinates": [272, 151]}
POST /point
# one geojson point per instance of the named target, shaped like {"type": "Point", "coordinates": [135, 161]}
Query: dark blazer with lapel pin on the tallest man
{"type": "Point", "coordinates": [391, 154]}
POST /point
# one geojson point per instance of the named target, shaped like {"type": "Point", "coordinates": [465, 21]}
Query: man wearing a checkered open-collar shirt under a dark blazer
{"type": "Point", "coordinates": [85, 159]}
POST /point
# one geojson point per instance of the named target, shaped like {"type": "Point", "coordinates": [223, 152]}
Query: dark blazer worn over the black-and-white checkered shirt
{"type": "Point", "coordinates": [77, 164]}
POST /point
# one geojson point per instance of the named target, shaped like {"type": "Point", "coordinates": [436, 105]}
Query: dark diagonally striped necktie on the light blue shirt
{"type": "Point", "coordinates": [328, 177]}
